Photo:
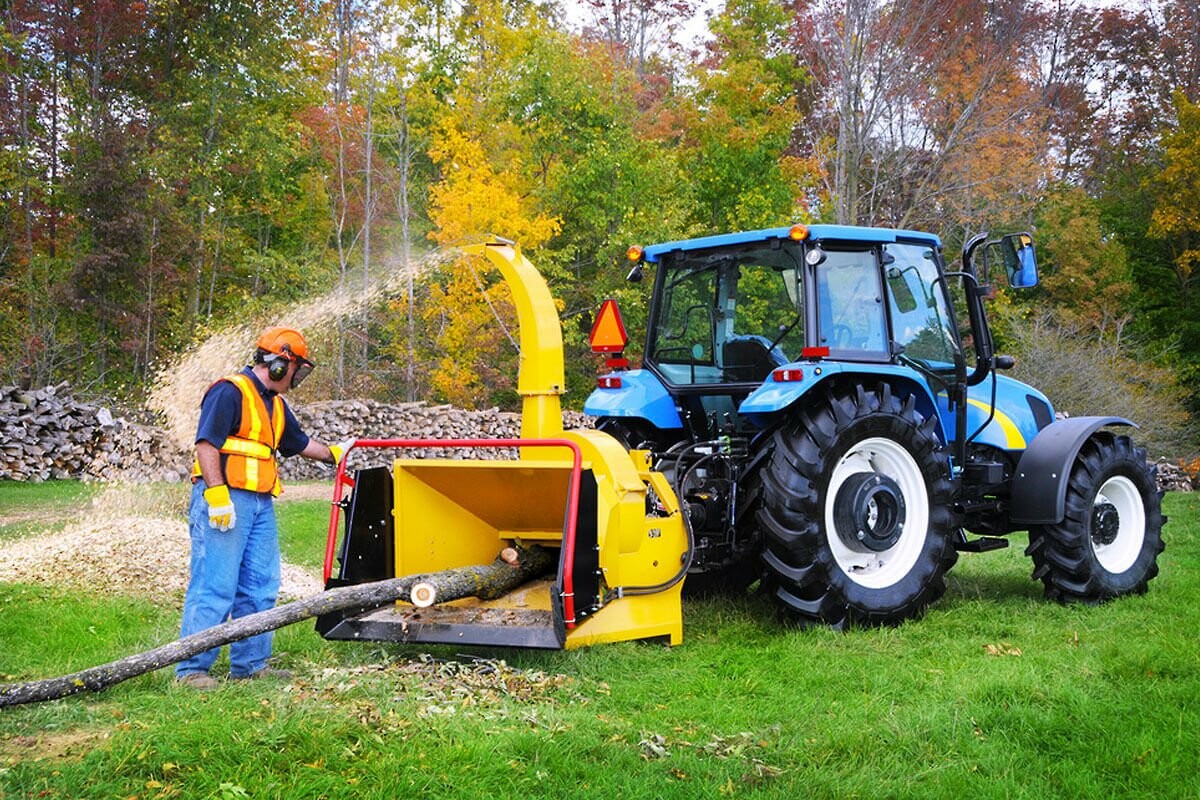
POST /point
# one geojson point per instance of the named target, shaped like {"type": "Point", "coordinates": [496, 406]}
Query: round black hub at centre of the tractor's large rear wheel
{"type": "Point", "coordinates": [869, 513]}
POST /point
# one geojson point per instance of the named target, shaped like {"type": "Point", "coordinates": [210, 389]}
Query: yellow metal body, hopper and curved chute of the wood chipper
{"type": "Point", "coordinates": [458, 513]}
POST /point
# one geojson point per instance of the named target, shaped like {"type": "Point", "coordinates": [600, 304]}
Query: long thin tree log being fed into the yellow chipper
{"type": "Point", "coordinates": [487, 582]}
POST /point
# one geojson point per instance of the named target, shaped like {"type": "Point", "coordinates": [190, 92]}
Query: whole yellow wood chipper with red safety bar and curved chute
{"type": "Point", "coordinates": [614, 528]}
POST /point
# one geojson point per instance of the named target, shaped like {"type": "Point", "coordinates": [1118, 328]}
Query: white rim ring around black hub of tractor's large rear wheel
{"type": "Point", "coordinates": [887, 568]}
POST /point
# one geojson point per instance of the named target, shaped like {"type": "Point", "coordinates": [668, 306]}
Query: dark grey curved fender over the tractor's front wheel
{"type": "Point", "coordinates": [1040, 486]}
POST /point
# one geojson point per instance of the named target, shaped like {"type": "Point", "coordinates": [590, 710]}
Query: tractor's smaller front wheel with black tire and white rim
{"type": "Point", "coordinates": [1109, 540]}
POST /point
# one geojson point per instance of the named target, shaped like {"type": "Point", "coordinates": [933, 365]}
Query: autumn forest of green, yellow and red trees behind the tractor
{"type": "Point", "coordinates": [171, 169]}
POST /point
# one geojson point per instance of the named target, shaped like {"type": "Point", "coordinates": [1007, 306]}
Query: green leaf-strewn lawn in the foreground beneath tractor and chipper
{"type": "Point", "coordinates": [995, 694]}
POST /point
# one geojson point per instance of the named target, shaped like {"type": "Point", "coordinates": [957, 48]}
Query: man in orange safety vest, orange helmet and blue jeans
{"type": "Point", "coordinates": [236, 551]}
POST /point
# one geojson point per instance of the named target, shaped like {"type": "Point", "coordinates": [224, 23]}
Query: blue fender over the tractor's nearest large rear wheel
{"type": "Point", "coordinates": [776, 396]}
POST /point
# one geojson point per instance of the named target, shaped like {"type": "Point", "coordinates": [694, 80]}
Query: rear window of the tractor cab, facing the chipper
{"type": "Point", "coordinates": [728, 316]}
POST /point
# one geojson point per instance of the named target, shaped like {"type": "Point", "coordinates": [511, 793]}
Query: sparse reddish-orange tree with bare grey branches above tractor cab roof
{"type": "Point", "coordinates": [921, 109]}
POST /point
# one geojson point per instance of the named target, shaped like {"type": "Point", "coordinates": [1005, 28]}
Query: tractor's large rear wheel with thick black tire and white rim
{"type": "Point", "coordinates": [857, 512]}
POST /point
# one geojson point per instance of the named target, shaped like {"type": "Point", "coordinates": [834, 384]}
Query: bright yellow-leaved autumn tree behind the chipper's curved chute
{"type": "Point", "coordinates": [485, 189]}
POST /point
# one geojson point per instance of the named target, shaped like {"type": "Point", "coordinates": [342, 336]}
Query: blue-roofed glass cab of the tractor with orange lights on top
{"type": "Point", "coordinates": [731, 314]}
